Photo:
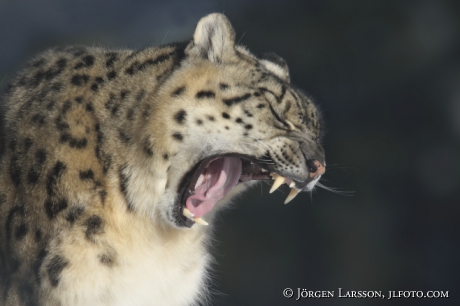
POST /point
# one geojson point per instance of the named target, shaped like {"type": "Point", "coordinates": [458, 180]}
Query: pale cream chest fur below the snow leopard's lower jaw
{"type": "Point", "coordinates": [151, 266]}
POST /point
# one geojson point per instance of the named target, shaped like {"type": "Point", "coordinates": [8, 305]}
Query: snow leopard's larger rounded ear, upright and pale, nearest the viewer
{"type": "Point", "coordinates": [214, 38]}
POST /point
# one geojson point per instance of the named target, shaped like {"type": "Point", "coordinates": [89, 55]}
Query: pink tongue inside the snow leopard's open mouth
{"type": "Point", "coordinates": [217, 180]}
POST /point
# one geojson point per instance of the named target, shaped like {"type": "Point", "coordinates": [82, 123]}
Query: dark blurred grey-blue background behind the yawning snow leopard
{"type": "Point", "coordinates": [386, 75]}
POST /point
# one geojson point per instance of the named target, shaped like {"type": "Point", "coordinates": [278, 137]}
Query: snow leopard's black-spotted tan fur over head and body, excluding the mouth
{"type": "Point", "coordinates": [97, 143]}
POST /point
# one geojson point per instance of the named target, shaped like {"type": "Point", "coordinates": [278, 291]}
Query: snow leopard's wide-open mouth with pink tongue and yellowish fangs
{"type": "Point", "coordinates": [214, 177]}
